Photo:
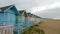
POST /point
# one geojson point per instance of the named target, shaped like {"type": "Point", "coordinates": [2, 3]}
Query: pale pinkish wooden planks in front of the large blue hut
{"type": "Point", "coordinates": [6, 29]}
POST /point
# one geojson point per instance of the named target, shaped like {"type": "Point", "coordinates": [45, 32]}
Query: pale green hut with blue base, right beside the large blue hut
{"type": "Point", "coordinates": [22, 20]}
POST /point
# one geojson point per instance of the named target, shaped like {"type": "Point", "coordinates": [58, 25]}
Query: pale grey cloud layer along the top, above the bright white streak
{"type": "Point", "coordinates": [25, 4]}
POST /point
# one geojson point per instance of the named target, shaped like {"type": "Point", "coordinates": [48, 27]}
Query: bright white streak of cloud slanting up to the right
{"type": "Point", "coordinates": [42, 8]}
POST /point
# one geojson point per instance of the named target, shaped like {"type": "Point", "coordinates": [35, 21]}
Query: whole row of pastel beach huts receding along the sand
{"type": "Point", "coordinates": [19, 20]}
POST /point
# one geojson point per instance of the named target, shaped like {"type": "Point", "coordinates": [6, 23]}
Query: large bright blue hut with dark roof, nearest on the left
{"type": "Point", "coordinates": [8, 15]}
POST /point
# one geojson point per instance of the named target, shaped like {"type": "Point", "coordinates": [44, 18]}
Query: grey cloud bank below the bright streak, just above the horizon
{"type": "Point", "coordinates": [51, 13]}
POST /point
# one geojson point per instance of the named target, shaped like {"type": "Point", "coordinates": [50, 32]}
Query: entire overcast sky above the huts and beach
{"type": "Point", "coordinates": [42, 8]}
